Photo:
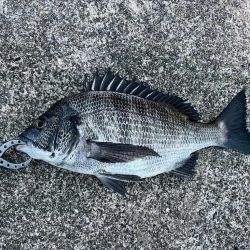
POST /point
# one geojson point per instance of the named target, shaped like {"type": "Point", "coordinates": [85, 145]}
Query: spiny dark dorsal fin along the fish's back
{"type": "Point", "coordinates": [113, 82]}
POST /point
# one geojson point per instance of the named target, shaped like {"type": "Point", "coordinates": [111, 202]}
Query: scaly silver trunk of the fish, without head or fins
{"type": "Point", "coordinates": [126, 119]}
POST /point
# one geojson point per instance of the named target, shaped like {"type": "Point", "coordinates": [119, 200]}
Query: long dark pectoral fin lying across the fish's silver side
{"type": "Point", "coordinates": [115, 152]}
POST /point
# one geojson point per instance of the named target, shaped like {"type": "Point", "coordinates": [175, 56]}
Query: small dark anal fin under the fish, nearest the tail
{"type": "Point", "coordinates": [187, 166]}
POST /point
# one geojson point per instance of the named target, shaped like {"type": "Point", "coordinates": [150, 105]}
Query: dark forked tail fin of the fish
{"type": "Point", "coordinates": [233, 121]}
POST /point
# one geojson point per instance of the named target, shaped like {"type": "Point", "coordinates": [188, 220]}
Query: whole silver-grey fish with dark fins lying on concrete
{"type": "Point", "coordinates": [122, 131]}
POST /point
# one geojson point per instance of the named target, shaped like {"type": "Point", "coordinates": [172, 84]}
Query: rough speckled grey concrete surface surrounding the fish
{"type": "Point", "coordinates": [196, 49]}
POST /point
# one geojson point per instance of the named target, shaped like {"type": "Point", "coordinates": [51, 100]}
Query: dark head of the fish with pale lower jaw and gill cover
{"type": "Point", "coordinates": [52, 136]}
